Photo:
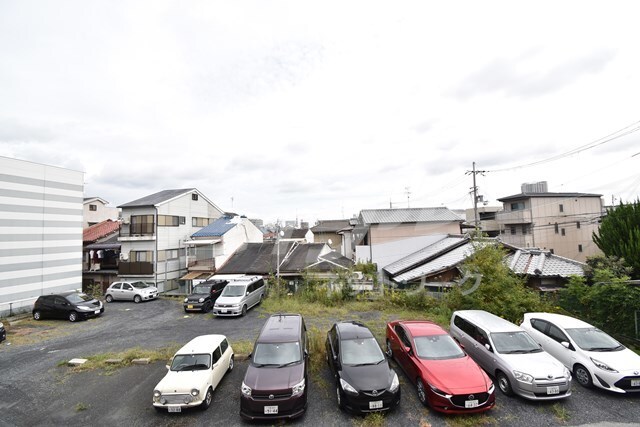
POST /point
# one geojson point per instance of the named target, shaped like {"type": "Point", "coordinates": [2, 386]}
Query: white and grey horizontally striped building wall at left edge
{"type": "Point", "coordinates": [40, 232]}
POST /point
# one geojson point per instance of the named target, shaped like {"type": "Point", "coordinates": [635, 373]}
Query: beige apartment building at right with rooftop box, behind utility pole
{"type": "Point", "coordinates": [561, 223]}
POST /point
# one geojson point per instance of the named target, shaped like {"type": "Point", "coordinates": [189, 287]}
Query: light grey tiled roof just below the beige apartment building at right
{"type": "Point", "coordinates": [543, 264]}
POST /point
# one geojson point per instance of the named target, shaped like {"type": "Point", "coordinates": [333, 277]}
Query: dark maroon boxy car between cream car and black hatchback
{"type": "Point", "coordinates": [274, 385]}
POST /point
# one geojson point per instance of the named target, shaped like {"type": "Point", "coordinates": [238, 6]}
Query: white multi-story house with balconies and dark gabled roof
{"type": "Point", "coordinates": [154, 229]}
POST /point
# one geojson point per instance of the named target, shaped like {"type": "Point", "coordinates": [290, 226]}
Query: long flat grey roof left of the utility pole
{"type": "Point", "coordinates": [395, 216]}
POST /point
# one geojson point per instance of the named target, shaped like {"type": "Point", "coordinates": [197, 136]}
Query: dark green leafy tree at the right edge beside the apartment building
{"type": "Point", "coordinates": [619, 234]}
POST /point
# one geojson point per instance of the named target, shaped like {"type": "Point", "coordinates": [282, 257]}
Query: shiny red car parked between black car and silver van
{"type": "Point", "coordinates": [447, 379]}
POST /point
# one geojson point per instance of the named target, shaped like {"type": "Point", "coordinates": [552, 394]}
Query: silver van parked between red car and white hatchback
{"type": "Point", "coordinates": [508, 353]}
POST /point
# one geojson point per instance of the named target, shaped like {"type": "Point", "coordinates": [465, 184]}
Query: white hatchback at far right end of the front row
{"type": "Point", "coordinates": [594, 357]}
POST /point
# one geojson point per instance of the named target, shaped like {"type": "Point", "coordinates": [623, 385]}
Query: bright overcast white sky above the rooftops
{"type": "Point", "coordinates": [317, 110]}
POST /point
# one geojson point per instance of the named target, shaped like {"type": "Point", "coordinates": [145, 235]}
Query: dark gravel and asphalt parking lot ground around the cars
{"type": "Point", "coordinates": [37, 388]}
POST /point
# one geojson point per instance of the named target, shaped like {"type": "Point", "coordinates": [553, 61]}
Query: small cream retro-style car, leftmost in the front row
{"type": "Point", "coordinates": [195, 372]}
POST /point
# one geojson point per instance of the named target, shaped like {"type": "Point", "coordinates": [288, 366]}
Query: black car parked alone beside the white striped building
{"type": "Point", "coordinates": [67, 305]}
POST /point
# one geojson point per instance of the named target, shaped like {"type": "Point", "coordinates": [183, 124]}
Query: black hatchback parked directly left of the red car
{"type": "Point", "coordinates": [364, 380]}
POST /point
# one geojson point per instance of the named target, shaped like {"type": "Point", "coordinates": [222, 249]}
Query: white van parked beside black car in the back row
{"type": "Point", "coordinates": [239, 296]}
